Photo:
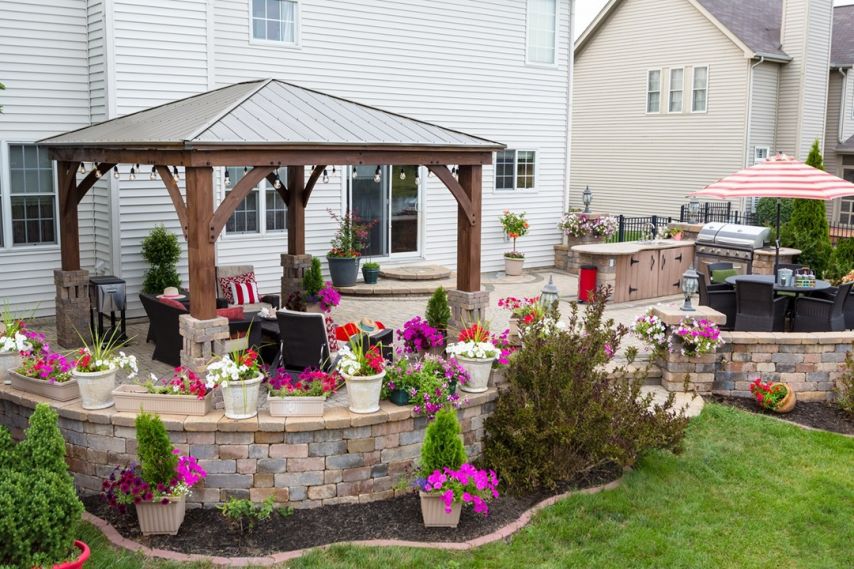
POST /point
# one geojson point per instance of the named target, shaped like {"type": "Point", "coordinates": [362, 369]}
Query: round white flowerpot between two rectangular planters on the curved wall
{"type": "Point", "coordinates": [239, 375]}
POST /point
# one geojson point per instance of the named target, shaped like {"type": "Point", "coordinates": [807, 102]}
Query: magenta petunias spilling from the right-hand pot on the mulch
{"type": "Point", "coordinates": [466, 484]}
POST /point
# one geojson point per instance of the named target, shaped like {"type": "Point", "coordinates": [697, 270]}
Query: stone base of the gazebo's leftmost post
{"type": "Point", "coordinates": [72, 307]}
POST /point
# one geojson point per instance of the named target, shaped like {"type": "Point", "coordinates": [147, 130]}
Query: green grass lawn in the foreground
{"type": "Point", "coordinates": [747, 492]}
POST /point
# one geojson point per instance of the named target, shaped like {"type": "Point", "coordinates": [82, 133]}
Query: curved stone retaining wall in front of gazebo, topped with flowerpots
{"type": "Point", "coordinates": [305, 462]}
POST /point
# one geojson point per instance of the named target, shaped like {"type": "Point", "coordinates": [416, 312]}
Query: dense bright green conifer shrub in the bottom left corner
{"type": "Point", "coordinates": [39, 530]}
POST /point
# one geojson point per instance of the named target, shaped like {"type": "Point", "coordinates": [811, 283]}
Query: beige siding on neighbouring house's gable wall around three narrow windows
{"type": "Point", "coordinates": [637, 163]}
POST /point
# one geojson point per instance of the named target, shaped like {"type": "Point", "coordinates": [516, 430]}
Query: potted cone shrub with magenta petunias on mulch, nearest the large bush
{"type": "Point", "coordinates": [447, 481]}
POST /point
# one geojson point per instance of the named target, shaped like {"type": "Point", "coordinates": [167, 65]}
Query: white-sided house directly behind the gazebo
{"type": "Point", "coordinates": [500, 70]}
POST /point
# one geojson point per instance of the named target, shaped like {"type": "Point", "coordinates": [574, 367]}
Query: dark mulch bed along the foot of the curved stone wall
{"type": "Point", "coordinates": [206, 532]}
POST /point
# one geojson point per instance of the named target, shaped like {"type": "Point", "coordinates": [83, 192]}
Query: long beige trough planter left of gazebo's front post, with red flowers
{"type": "Point", "coordinates": [184, 393]}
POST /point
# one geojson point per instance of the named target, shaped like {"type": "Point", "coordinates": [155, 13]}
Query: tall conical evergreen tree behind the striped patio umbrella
{"type": "Point", "coordinates": [808, 229]}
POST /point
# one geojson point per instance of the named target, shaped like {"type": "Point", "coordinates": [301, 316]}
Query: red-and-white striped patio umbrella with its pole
{"type": "Point", "coordinates": [779, 177]}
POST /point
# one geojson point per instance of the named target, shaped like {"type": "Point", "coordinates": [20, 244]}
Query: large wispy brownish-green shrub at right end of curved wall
{"type": "Point", "coordinates": [563, 413]}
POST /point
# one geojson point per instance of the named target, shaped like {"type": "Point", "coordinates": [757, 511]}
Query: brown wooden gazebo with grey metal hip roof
{"type": "Point", "coordinates": [263, 125]}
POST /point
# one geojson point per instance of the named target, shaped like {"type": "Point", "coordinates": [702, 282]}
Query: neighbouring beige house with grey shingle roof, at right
{"type": "Point", "coordinates": [671, 95]}
